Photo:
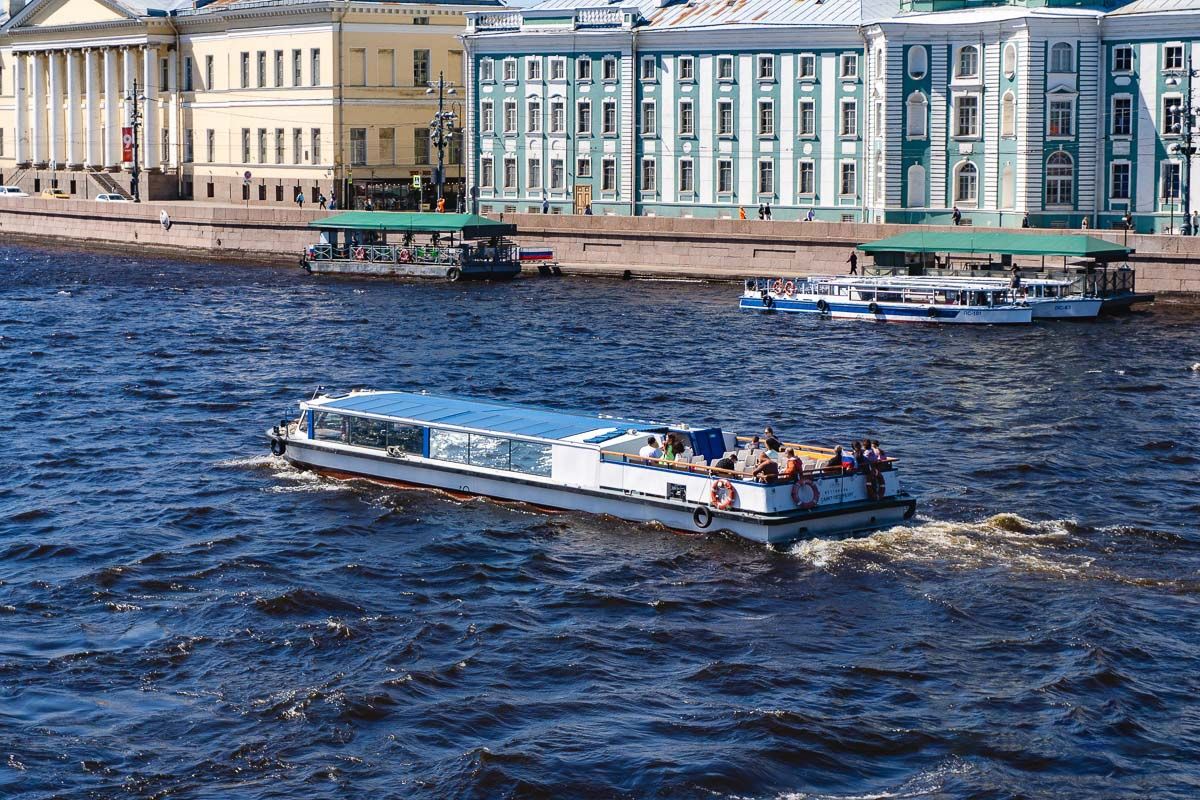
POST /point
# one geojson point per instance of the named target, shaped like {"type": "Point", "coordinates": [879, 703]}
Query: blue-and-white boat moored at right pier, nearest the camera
{"type": "Point", "coordinates": [889, 299]}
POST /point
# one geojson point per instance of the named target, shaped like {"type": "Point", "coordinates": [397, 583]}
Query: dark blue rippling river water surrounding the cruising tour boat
{"type": "Point", "coordinates": [183, 616]}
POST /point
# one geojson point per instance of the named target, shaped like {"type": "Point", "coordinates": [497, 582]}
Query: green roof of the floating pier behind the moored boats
{"type": "Point", "coordinates": [998, 243]}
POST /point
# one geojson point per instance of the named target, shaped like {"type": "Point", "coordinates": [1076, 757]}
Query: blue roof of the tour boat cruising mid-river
{"type": "Point", "coordinates": [500, 418]}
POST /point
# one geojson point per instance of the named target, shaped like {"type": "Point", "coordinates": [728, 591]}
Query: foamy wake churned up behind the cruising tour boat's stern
{"type": "Point", "coordinates": [1059, 549]}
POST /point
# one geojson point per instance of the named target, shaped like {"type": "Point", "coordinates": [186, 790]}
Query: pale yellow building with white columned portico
{"type": "Point", "coordinates": [327, 99]}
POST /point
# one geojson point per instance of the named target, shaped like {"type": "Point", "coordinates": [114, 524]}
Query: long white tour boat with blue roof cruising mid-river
{"type": "Point", "coordinates": [585, 464]}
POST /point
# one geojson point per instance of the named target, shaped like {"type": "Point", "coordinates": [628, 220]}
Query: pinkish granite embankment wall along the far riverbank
{"type": "Point", "coordinates": [647, 246]}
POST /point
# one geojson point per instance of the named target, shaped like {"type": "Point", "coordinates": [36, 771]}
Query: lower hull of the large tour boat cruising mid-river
{"type": "Point", "coordinates": [773, 530]}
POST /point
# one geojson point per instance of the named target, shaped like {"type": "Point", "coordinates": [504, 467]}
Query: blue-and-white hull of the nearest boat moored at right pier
{"type": "Point", "coordinates": [889, 312]}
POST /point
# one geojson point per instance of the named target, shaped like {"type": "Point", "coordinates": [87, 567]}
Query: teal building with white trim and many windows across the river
{"type": "Point", "coordinates": [874, 111]}
